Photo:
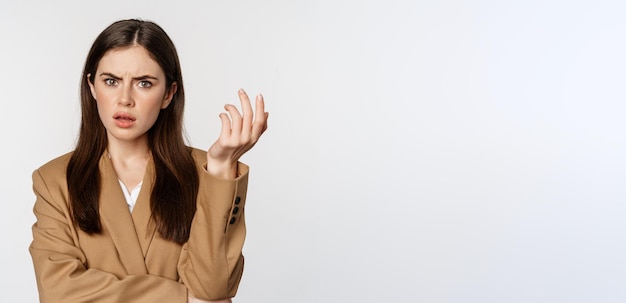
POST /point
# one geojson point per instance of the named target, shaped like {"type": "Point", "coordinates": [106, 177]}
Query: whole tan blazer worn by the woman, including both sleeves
{"type": "Point", "coordinates": [128, 261]}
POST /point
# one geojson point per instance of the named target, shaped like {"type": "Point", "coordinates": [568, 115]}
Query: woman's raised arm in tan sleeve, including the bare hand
{"type": "Point", "coordinates": [211, 262]}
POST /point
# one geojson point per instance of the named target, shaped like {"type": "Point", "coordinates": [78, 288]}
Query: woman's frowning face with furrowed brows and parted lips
{"type": "Point", "coordinates": [130, 91]}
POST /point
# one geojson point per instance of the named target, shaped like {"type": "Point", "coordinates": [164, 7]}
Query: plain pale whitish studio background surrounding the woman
{"type": "Point", "coordinates": [418, 151]}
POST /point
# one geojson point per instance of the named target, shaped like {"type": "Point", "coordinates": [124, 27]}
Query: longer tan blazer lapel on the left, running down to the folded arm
{"type": "Point", "coordinates": [116, 217]}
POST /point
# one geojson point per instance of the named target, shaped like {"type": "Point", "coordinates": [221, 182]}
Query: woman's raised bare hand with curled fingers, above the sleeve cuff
{"type": "Point", "coordinates": [240, 132]}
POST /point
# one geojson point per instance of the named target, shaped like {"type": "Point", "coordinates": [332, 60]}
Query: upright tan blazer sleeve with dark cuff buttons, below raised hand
{"type": "Point", "coordinates": [211, 262]}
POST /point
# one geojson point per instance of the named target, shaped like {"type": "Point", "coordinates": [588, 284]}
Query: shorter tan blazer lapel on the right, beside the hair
{"type": "Point", "coordinates": [142, 214]}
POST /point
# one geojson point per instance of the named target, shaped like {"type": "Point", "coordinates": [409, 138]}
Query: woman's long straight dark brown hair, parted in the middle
{"type": "Point", "coordinates": [173, 198]}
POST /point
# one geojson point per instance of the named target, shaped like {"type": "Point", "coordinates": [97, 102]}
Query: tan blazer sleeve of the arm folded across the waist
{"type": "Point", "coordinates": [60, 264]}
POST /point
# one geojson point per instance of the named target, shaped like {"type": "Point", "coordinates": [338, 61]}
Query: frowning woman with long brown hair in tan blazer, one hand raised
{"type": "Point", "coordinates": [133, 214]}
